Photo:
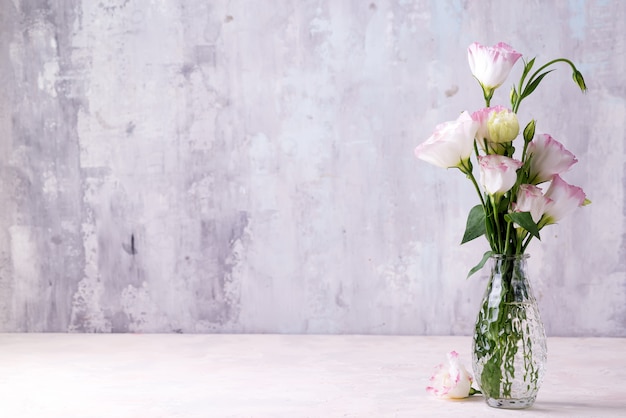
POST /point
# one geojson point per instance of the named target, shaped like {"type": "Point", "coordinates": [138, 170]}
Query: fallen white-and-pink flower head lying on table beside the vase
{"type": "Point", "coordinates": [451, 381]}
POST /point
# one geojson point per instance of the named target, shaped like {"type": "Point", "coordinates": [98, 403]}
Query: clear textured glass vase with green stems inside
{"type": "Point", "coordinates": [509, 345]}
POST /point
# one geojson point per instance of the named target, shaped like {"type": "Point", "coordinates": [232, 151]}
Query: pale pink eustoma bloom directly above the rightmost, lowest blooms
{"type": "Point", "coordinates": [547, 158]}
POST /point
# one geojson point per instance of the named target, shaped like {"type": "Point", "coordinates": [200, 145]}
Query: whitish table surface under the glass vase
{"type": "Point", "coordinates": [173, 375]}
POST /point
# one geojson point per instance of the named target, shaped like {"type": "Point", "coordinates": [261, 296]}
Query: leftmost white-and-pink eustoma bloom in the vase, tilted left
{"type": "Point", "coordinates": [451, 144]}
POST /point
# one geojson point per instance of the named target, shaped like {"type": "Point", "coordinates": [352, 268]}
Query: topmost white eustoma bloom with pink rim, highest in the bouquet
{"type": "Point", "coordinates": [491, 65]}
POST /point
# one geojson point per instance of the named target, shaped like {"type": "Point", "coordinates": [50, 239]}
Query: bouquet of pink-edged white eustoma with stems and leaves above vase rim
{"type": "Point", "coordinates": [513, 207]}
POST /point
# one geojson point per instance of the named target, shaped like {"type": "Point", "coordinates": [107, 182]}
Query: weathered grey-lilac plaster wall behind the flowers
{"type": "Point", "coordinates": [247, 166]}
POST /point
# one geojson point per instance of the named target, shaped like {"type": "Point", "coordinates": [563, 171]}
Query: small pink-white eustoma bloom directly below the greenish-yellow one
{"type": "Point", "coordinates": [498, 173]}
